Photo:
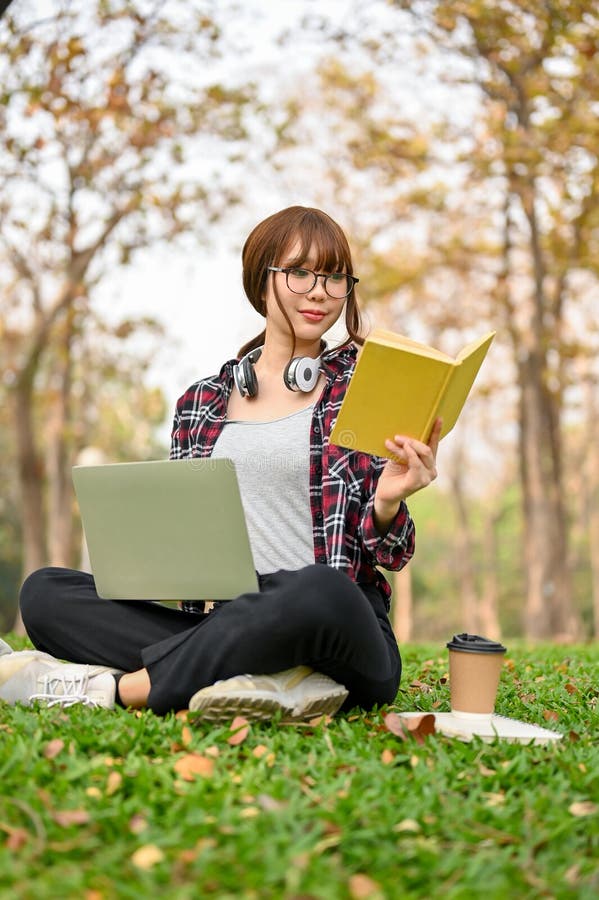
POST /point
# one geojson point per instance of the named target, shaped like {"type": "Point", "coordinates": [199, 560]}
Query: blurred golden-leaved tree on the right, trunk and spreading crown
{"type": "Point", "coordinates": [484, 217]}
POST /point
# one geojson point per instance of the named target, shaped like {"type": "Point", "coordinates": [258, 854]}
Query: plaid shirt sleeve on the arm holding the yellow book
{"type": "Point", "coordinates": [394, 549]}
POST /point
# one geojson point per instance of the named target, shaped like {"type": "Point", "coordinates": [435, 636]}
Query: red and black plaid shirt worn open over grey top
{"type": "Point", "coordinates": [342, 482]}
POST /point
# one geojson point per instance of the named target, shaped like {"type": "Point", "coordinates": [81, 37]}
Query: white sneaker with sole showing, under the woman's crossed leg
{"type": "Point", "coordinates": [298, 693]}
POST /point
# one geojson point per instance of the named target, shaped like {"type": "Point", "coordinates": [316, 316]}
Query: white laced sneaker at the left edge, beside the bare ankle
{"type": "Point", "coordinates": [31, 675]}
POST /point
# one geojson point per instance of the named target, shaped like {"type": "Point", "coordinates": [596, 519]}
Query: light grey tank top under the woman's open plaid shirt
{"type": "Point", "coordinates": [272, 460]}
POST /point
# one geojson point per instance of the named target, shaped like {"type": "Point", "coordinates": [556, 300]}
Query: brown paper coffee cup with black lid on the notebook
{"type": "Point", "coordinates": [474, 669]}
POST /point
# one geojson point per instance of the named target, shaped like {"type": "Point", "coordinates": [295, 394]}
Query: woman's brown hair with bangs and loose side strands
{"type": "Point", "coordinates": [266, 246]}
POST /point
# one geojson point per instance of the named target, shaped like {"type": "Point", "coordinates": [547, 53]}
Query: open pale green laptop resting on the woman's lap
{"type": "Point", "coordinates": [165, 530]}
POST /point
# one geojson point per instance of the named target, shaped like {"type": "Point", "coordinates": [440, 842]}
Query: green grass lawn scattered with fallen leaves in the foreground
{"type": "Point", "coordinates": [299, 812]}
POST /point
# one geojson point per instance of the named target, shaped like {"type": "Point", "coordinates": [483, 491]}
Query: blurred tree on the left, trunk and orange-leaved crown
{"type": "Point", "coordinates": [113, 137]}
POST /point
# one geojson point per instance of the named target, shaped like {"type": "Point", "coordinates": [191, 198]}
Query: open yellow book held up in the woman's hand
{"type": "Point", "coordinates": [400, 387]}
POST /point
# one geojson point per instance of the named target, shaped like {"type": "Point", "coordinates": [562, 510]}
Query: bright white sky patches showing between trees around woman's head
{"type": "Point", "coordinates": [197, 294]}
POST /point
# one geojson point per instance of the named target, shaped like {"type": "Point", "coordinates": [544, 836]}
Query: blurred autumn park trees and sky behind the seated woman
{"type": "Point", "coordinates": [456, 142]}
